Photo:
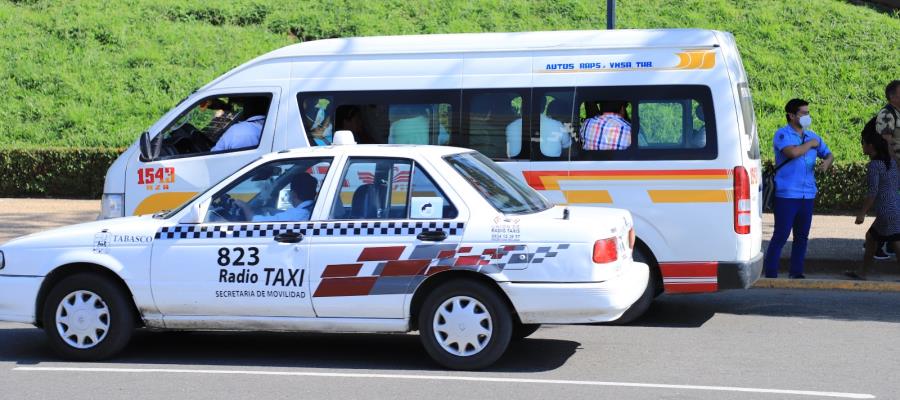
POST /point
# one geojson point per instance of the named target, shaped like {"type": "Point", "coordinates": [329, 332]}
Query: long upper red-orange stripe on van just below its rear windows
{"type": "Point", "coordinates": [549, 180]}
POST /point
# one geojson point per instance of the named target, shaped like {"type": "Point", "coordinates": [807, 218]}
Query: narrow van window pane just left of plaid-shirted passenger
{"type": "Point", "coordinates": [553, 130]}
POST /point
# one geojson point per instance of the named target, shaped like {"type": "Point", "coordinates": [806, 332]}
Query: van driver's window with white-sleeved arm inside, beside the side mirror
{"type": "Point", "coordinates": [215, 124]}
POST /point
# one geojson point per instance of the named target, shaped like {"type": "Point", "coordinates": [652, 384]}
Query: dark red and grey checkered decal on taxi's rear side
{"type": "Point", "coordinates": [394, 273]}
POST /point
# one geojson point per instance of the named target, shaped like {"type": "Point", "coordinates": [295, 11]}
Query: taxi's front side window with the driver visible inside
{"type": "Point", "coordinates": [281, 191]}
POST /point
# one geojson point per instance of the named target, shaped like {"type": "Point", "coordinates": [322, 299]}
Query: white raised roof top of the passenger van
{"type": "Point", "coordinates": [510, 41]}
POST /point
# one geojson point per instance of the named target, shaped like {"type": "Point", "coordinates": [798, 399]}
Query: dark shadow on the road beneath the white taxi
{"type": "Point", "coordinates": [298, 350]}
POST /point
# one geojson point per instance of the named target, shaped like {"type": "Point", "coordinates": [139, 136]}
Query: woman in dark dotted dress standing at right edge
{"type": "Point", "coordinates": [882, 176]}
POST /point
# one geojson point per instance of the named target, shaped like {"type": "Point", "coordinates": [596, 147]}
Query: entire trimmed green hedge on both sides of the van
{"type": "Point", "coordinates": [79, 173]}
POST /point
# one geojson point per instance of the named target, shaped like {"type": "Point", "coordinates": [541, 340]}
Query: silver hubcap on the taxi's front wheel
{"type": "Point", "coordinates": [82, 319]}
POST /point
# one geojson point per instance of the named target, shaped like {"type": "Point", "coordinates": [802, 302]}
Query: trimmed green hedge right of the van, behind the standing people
{"type": "Point", "coordinates": [840, 189]}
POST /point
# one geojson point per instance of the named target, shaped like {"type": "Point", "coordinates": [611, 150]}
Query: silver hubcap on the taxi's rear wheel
{"type": "Point", "coordinates": [462, 326]}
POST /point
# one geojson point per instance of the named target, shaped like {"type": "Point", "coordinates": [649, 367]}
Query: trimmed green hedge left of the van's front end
{"type": "Point", "coordinates": [55, 172]}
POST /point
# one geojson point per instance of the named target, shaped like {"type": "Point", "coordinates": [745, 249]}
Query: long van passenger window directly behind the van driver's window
{"type": "Point", "coordinates": [396, 117]}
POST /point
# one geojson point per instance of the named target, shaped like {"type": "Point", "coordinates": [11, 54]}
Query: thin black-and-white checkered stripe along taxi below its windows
{"type": "Point", "coordinates": [307, 229]}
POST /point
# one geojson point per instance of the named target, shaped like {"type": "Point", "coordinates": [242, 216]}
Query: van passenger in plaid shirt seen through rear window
{"type": "Point", "coordinates": [609, 130]}
